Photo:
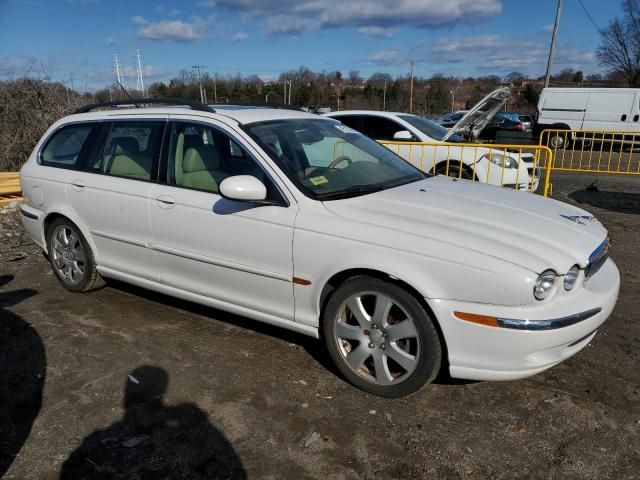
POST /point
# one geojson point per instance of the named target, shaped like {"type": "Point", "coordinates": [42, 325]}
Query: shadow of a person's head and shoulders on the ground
{"type": "Point", "coordinates": [154, 440]}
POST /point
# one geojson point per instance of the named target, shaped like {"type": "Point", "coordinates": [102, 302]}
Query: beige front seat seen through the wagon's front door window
{"type": "Point", "coordinates": [201, 168]}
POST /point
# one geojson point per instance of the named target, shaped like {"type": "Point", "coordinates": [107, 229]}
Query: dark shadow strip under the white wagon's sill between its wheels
{"type": "Point", "coordinates": [314, 347]}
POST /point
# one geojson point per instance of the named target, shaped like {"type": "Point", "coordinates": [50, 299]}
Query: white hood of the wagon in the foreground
{"type": "Point", "coordinates": [524, 229]}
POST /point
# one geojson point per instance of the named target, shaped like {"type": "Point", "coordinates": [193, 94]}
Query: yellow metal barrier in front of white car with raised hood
{"type": "Point", "coordinates": [514, 166]}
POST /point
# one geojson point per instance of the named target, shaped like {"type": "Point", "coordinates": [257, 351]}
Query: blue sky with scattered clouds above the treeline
{"type": "Point", "coordinates": [74, 41]}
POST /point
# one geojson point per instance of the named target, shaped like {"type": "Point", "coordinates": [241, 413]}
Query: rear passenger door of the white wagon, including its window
{"type": "Point", "coordinates": [110, 194]}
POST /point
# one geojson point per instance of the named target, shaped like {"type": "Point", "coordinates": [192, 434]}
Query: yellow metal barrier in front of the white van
{"type": "Point", "coordinates": [594, 151]}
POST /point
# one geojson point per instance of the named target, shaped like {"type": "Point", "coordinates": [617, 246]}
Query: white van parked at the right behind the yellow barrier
{"type": "Point", "coordinates": [616, 109]}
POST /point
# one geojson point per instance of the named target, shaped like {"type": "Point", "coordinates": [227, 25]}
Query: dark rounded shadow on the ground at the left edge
{"type": "Point", "coordinates": [22, 374]}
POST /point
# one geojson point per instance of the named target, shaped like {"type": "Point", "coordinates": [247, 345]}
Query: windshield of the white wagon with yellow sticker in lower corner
{"type": "Point", "coordinates": [327, 160]}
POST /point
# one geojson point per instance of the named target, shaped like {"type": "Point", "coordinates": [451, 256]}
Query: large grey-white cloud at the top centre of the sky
{"type": "Point", "coordinates": [307, 15]}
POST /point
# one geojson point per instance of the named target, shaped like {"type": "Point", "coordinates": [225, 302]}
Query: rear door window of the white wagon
{"type": "Point", "coordinates": [130, 150]}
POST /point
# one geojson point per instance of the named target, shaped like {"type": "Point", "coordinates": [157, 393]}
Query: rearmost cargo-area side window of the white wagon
{"type": "Point", "coordinates": [66, 146]}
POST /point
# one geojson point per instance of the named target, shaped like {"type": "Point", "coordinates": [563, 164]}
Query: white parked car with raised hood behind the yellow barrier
{"type": "Point", "coordinates": [514, 170]}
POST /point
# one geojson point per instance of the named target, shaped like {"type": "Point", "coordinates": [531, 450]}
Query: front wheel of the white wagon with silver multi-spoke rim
{"type": "Point", "coordinates": [380, 337]}
